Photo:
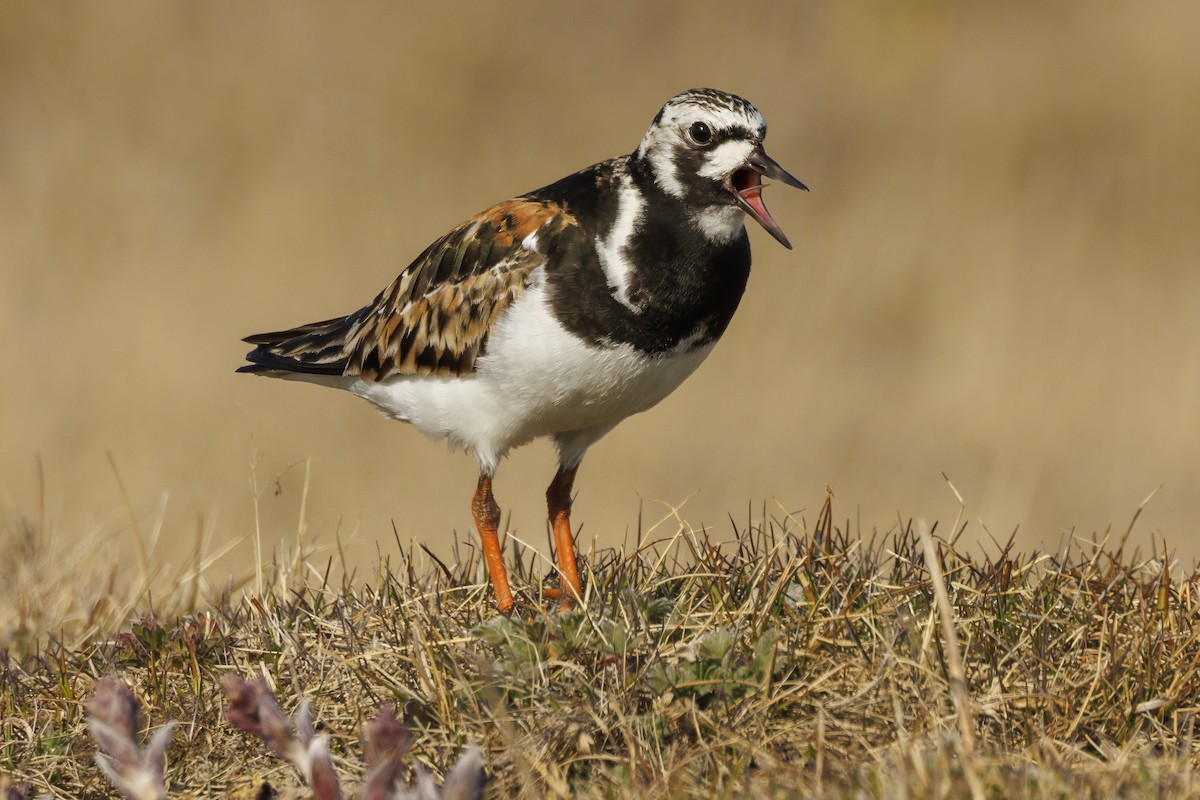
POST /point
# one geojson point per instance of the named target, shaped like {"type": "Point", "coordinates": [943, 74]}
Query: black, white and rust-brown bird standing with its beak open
{"type": "Point", "coordinates": [561, 312]}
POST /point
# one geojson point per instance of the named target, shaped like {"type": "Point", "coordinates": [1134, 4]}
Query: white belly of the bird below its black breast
{"type": "Point", "coordinates": [536, 381]}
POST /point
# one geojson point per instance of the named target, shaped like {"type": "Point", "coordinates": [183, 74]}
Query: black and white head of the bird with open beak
{"type": "Point", "coordinates": [705, 148]}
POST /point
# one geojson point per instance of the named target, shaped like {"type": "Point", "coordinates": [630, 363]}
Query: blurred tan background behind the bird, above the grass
{"type": "Point", "coordinates": [997, 275]}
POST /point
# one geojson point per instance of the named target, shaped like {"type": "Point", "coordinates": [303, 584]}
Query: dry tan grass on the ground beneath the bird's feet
{"type": "Point", "coordinates": [801, 659]}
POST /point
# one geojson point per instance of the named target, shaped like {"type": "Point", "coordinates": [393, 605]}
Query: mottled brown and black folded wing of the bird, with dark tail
{"type": "Point", "coordinates": [436, 316]}
